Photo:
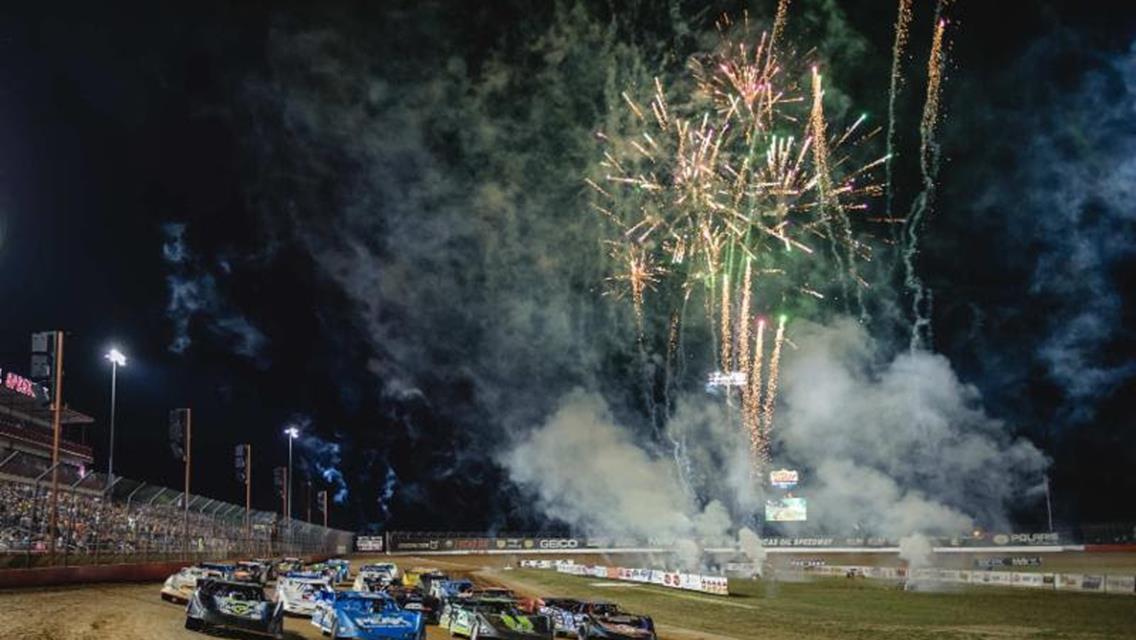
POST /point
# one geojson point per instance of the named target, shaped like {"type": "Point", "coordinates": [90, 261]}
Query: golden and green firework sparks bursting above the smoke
{"type": "Point", "coordinates": [744, 195]}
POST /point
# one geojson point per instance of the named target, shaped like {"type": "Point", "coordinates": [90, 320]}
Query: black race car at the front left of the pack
{"type": "Point", "coordinates": [236, 606]}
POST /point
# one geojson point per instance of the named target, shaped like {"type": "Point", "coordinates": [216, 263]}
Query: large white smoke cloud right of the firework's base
{"type": "Point", "coordinates": [895, 446]}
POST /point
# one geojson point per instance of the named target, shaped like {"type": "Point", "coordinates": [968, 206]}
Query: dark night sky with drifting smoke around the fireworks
{"type": "Point", "coordinates": [269, 157]}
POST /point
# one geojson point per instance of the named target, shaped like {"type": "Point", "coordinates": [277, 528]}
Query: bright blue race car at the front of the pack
{"type": "Point", "coordinates": [366, 617]}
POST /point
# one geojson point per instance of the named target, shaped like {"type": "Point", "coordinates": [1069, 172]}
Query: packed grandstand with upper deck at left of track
{"type": "Point", "coordinates": [122, 521]}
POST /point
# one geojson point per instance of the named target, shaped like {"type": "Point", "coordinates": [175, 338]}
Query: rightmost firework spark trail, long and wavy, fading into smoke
{"type": "Point", "coordinates": [922, 298]}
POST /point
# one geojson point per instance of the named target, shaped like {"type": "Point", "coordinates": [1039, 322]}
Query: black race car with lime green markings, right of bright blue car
{"type": "Point", "coordinates": [494, 618]}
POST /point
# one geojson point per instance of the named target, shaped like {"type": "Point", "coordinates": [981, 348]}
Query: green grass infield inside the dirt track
{"type": "Point", "coordinates": [840, 608]}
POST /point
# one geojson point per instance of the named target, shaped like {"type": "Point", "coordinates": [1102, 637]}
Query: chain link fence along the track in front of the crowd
{"type": "Point", "coordinates": [127, 521]}
